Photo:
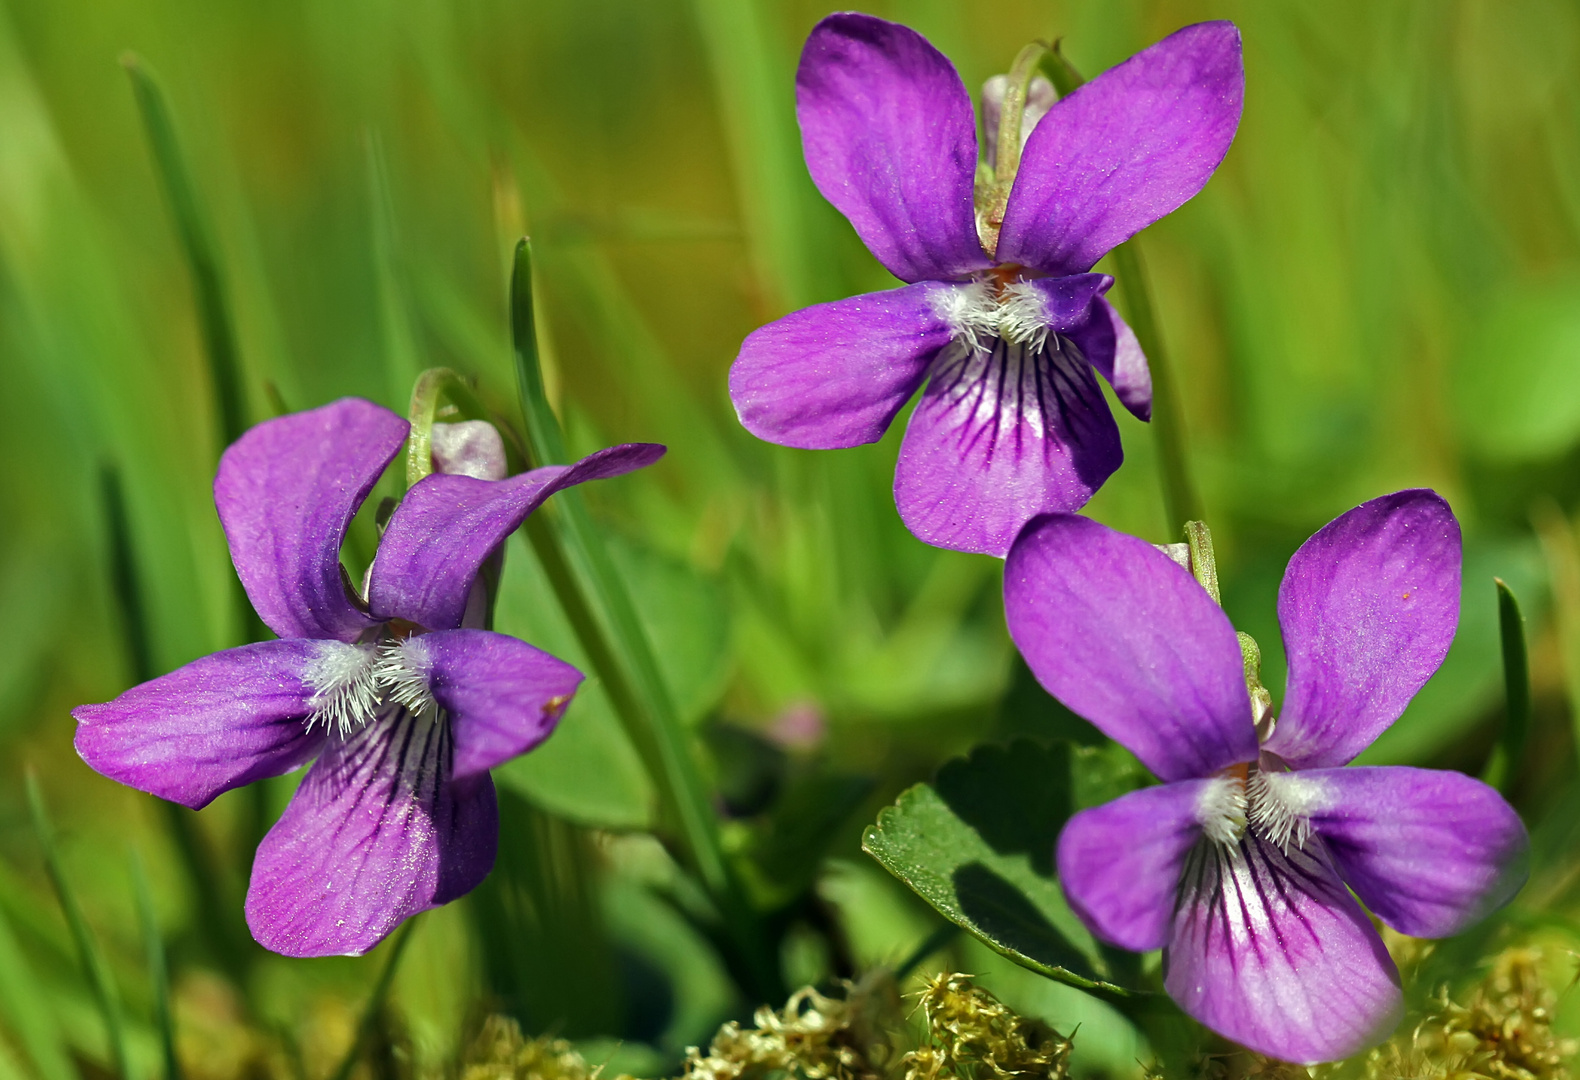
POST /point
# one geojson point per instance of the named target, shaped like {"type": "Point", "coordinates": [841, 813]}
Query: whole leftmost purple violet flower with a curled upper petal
{"type": "Point", "coordinates": [399, 696]}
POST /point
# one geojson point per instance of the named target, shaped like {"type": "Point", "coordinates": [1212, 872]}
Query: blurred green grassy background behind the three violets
{"type": "Point", "coordinates": [1379, 290]}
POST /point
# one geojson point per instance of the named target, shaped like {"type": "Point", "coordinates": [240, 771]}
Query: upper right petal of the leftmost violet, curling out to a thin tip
{"type": "Point", "coordinates": [448, 525]}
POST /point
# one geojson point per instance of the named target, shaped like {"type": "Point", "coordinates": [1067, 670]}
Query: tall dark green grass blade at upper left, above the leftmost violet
{"type": "Point", "coordinates": [203, 258]}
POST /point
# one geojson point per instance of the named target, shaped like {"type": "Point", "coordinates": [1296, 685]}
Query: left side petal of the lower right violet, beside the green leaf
{"type": "Point", "coordinates": [1121, 863]}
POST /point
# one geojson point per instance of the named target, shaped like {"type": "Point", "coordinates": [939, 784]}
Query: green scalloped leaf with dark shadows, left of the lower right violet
{"type": "Point", "coordinates": [979, 846]}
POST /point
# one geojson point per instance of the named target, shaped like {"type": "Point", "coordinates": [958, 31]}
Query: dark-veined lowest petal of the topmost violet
{"type": "Point", "coordinates": [1001, 438]}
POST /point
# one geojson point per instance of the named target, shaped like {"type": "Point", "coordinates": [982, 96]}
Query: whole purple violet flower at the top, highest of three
{"type": "Point", "coordinates": [999, 317]}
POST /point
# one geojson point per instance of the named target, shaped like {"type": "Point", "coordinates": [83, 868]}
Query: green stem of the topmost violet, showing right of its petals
{"type": "Point", "coordinates": [1181, 501]}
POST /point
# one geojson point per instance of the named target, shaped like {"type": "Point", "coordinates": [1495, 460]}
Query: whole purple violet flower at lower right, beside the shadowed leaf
{"type": "Point", "coordinates": [1238, 863]}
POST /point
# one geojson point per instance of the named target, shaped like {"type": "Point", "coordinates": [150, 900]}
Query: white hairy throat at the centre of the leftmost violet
{"type": "Point", "coordinates": [353, 683]}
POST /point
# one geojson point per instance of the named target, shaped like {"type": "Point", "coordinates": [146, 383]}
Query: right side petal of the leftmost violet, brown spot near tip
{"type": "Point", "coordinates": [503, 696]}
